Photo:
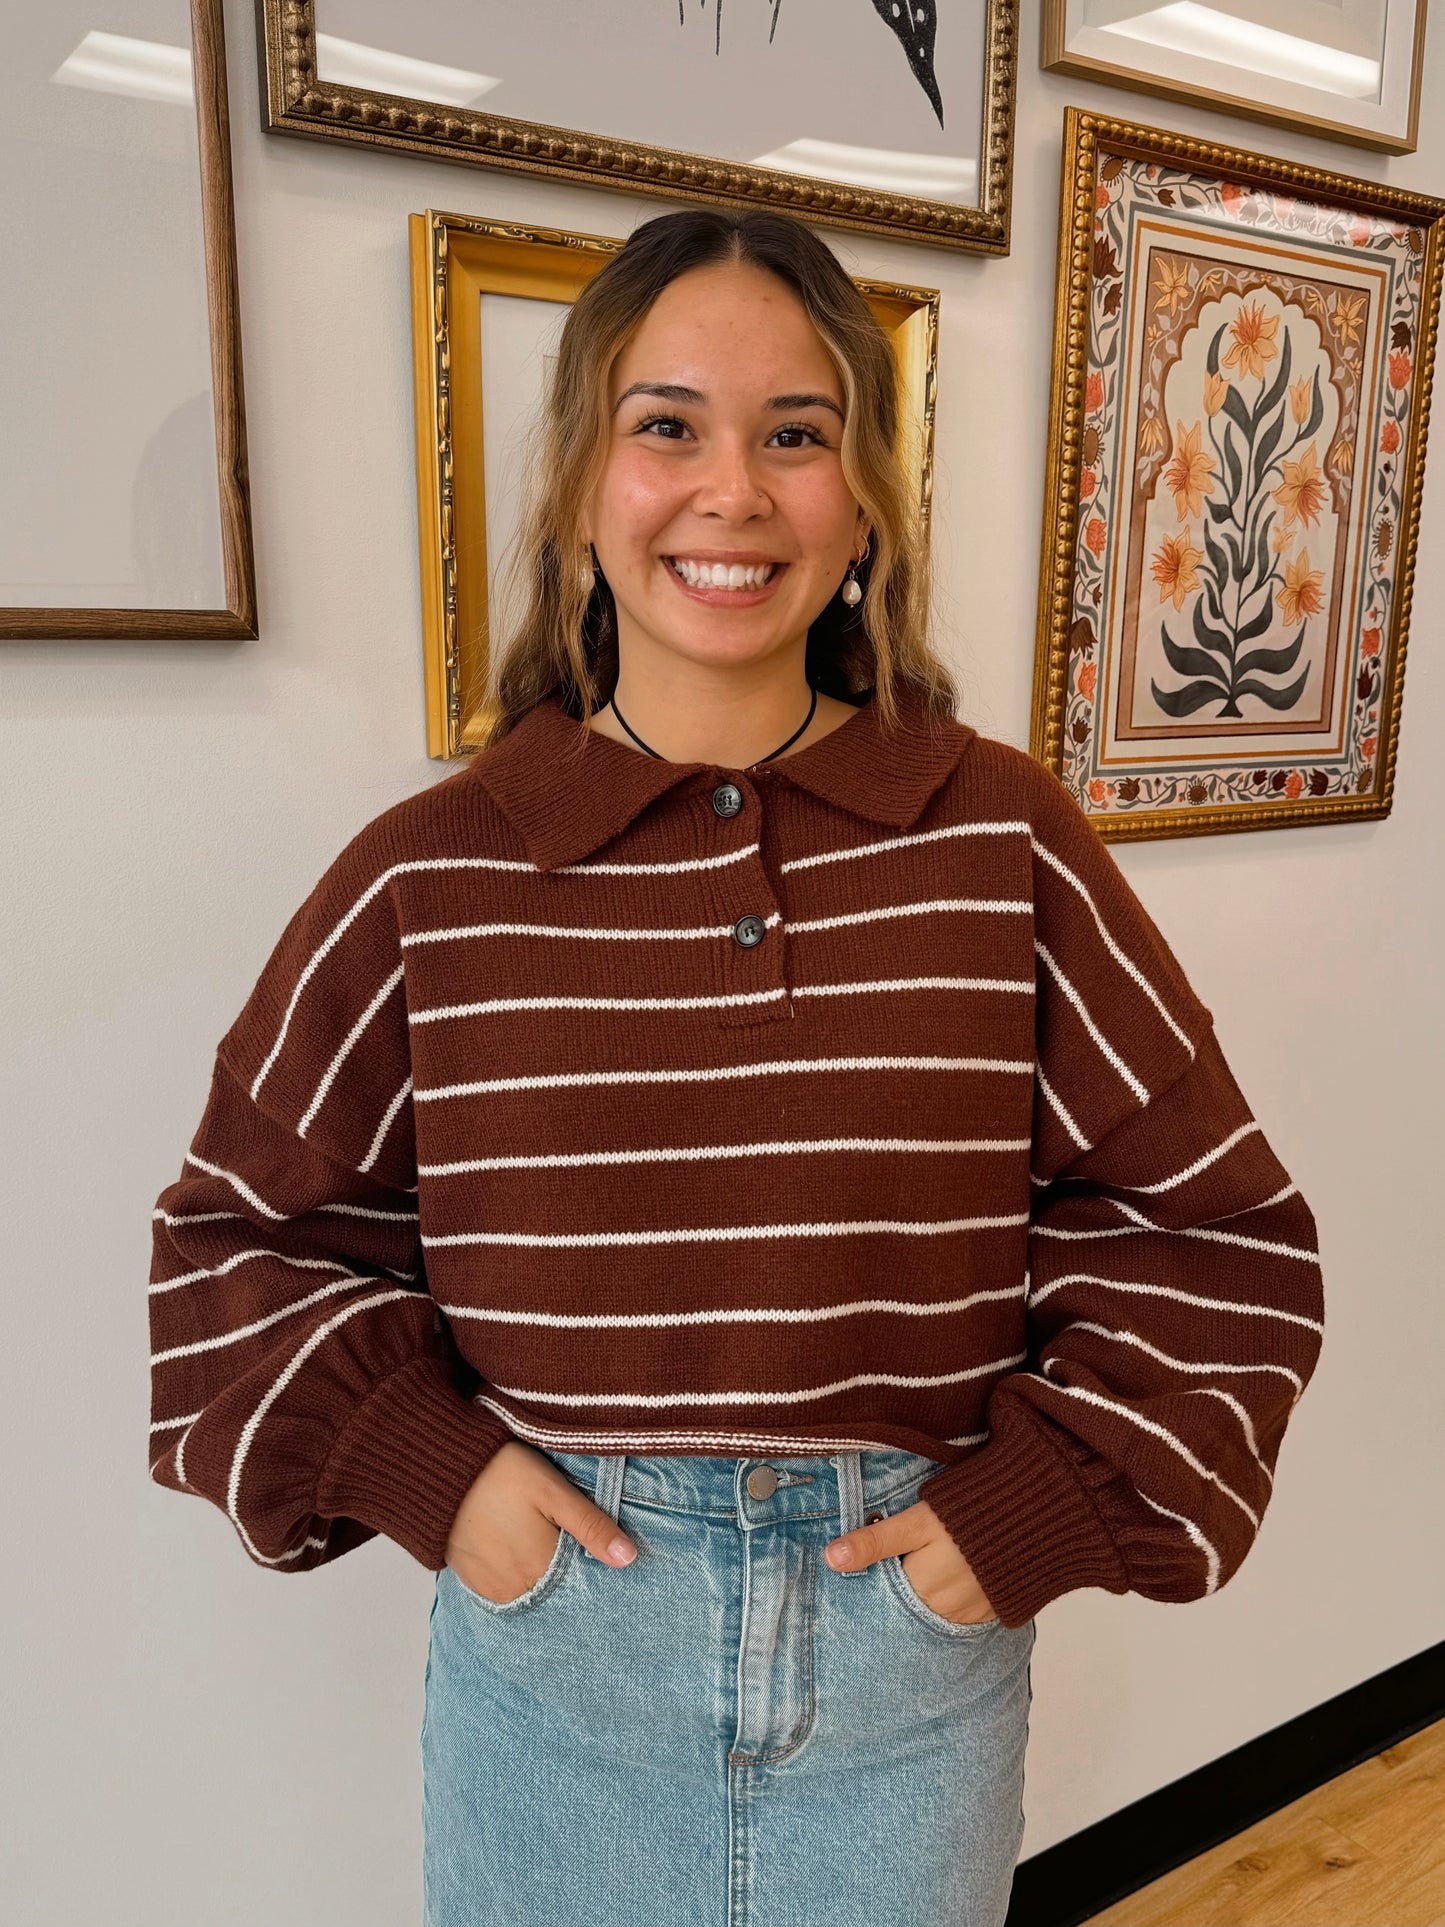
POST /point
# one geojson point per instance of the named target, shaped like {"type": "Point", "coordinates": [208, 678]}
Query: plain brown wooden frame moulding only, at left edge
{"type": "Point", "coordinates": [238, 620]}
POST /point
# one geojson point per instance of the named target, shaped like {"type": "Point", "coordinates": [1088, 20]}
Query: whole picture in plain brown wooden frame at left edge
{"type": "Point", "coordinates": [88, 305]}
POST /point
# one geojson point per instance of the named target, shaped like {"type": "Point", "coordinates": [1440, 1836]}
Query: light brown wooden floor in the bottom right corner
{"type": "Point", "coordinates": [1363, 1851]}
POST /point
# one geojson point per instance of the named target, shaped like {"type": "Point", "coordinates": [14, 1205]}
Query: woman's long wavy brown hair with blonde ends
{"type": "Point", "coordinates": [562, 633]}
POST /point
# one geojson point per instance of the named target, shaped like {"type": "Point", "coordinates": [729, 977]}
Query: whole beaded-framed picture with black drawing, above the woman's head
{"type": "Point", "coordinates": [883, 117]}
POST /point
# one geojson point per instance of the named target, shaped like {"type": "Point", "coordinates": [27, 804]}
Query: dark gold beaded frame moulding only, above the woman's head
{"type": "Point", "coordinates": [296, 101]}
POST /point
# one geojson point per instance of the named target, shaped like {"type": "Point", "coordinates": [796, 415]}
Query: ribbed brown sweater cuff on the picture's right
{"type": "Point", "coordinates": [1024, 1521]}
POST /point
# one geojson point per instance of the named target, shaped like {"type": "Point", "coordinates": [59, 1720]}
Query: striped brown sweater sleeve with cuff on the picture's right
{"type": "Point", "coordinates": [1174, 1292]}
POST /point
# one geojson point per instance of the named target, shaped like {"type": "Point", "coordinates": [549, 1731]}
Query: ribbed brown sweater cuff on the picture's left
{"type": "Point", "coordinates": [407, 1458]}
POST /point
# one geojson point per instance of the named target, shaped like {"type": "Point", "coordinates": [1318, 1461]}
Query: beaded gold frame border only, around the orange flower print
{"type": "Point", "coordinates": [1084, 136]}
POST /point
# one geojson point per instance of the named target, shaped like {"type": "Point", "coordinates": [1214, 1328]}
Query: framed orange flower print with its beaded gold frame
{"type": "Point", "coordinates": [1242, 381]}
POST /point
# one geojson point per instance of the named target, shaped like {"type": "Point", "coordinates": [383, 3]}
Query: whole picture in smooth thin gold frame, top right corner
{"type": "Point", "coordinates": [1317, 88]}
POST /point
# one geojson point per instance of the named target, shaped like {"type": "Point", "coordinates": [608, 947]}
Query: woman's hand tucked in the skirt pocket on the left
{"type": "Point", "coordinates": [502, 1539]}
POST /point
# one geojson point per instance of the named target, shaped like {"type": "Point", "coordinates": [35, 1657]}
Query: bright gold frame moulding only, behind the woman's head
{"type": "Point", "coordinates": [454, 261]}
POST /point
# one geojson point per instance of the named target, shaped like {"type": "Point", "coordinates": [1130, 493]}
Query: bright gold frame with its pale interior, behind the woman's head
{"type": "Point", "coordinates": [488, 300]}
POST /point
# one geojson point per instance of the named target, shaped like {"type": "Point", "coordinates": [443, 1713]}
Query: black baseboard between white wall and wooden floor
{"type": "Point", "coordinates": [1091, 1870]}
